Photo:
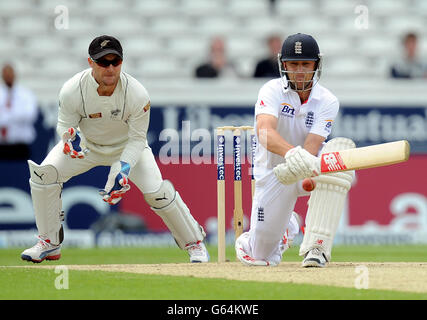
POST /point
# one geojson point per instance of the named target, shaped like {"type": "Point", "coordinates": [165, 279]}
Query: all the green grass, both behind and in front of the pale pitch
{"type": "Point", "coordinates": [34, 282]}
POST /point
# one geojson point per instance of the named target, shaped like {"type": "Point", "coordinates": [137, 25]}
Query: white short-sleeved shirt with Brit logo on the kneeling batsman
{"type": "Point", "coordinates": [295, 120]}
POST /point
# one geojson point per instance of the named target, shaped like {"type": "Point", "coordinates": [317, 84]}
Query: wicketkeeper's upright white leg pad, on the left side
{"type": "Point", "coordinates": [46, 197]}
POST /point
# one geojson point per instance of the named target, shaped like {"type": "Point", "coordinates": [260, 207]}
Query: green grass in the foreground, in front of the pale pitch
{"type": "Point", "coordinates": [94, 285]}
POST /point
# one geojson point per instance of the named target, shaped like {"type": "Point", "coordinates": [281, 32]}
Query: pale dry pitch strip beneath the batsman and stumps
{"type": "Point", "coordinates": [409, 277]}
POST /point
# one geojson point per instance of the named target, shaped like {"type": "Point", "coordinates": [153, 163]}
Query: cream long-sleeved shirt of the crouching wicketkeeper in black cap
{"type": "Point", "coordinates": [109, 125]}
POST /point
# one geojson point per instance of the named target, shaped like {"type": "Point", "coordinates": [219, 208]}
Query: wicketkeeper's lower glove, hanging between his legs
{"type": "Point", "coordinates": [117, 183]}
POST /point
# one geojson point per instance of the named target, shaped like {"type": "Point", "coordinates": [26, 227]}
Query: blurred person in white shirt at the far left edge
{"type": "Point", "coordinates": [18, 113]}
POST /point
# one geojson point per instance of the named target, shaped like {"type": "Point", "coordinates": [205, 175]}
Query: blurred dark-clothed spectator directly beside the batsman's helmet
{"type": "Point", "coordinates": [269, 67]}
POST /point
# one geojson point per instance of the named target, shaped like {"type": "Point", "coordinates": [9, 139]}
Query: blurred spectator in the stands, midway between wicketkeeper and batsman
{"type": "Point", "coordinates": [218, 64]}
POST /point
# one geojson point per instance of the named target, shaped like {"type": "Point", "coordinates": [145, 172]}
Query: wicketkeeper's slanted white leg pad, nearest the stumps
{"type": "Point", "coordinates": [167, 203]}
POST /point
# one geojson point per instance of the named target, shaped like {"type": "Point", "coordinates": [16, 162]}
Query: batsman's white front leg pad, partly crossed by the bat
{"type": "Point", "coordinates": [326, 204]}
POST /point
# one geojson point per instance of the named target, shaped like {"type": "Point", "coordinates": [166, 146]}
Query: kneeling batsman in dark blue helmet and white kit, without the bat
{"type": "Point", "coordinates": [293, 117]}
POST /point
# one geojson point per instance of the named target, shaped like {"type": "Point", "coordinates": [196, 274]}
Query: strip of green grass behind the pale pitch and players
{"type": "Point", "coordinates": [407, 253]}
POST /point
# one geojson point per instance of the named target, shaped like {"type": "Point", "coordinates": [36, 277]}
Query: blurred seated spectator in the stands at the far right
{"type": "Point", "coordinates": [410, 66]}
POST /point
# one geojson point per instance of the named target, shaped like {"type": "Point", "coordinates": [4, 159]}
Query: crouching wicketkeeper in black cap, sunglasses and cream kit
{"type": "Point", "coordinates": [103, 119]}
